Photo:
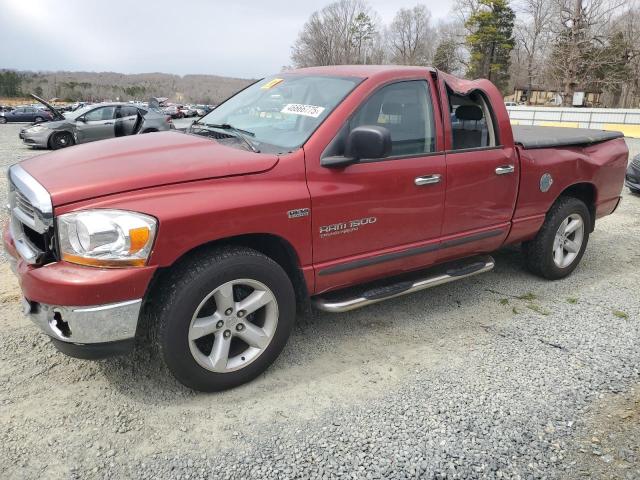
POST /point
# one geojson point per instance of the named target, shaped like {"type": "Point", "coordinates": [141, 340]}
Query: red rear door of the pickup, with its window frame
{"type": "Point", "coordinates": [482, 178]}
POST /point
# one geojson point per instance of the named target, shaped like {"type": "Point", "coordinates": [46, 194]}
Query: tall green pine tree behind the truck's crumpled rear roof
{"type": "Point", "coordinates": [491, 41]}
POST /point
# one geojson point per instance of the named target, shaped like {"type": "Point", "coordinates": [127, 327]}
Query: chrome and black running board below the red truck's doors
{"type": "Point", "coordinates": [339, 302]}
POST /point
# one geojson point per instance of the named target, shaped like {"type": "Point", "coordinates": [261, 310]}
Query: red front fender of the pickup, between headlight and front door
{"type": "Point", "coordinates": [195, 213]}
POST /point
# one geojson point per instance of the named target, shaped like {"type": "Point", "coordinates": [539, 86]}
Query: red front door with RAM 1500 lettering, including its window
{"type": "Point", "coordinates": [380, 217]}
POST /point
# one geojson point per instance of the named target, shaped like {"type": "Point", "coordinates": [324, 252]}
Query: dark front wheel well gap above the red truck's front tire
{"type": "Point", "coordinates": [274, 247]}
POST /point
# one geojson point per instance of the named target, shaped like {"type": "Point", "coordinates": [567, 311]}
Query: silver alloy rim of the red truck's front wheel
{"type": "Point", "coordinates": [233, 325]}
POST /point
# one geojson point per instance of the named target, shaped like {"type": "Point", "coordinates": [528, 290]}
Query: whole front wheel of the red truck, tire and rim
{"type": "Point", "coordinates": [226, 318]}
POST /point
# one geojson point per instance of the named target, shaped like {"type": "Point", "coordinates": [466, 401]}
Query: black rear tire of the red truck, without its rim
{"type": "Point", "coordinates": [538, 253]}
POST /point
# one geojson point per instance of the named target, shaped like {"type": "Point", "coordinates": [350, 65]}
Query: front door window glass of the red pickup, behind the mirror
{"type": "Point", "coordinates": [405, 109]}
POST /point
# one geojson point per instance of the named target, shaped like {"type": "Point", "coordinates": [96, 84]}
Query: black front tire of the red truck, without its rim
{"type": "Point", "coordinates": [177, 299]}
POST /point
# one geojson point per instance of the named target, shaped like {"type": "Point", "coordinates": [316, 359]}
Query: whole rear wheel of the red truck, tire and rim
{"type": "Point", "coordinates": [560, 244]}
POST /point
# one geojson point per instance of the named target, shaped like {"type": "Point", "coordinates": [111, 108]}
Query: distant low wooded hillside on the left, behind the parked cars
{"type": "Point", "coordinates": [97, 86]}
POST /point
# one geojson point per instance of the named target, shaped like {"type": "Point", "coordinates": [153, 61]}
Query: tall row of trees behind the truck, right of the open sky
{"type": "Point", "coordinates": [553, 45]}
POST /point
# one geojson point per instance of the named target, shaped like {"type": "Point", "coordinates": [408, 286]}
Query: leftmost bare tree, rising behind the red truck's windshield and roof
{"type": "Point", "coordinates": [342, 32]}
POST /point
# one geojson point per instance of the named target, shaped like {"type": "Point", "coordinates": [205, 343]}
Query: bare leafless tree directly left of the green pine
{"type": "Point", "coordinates": [410, 35]}
